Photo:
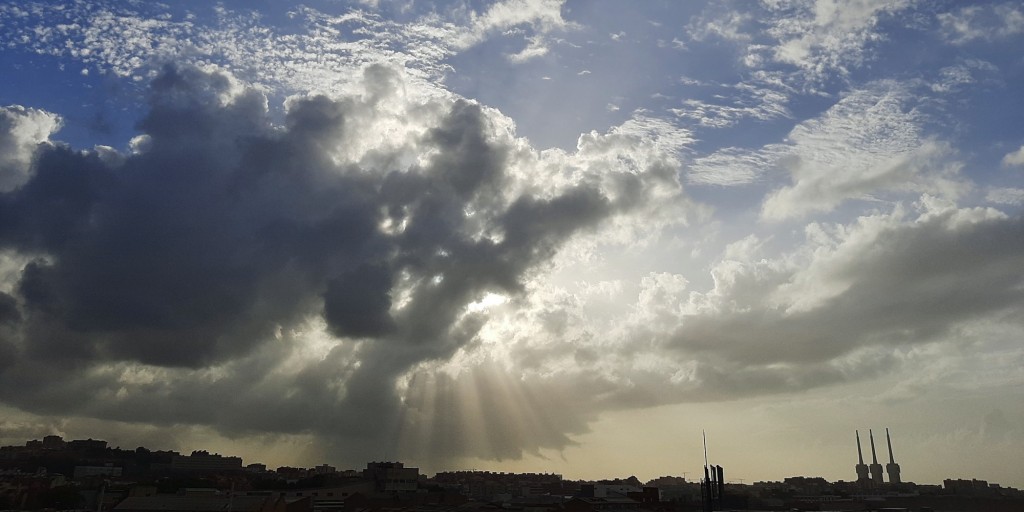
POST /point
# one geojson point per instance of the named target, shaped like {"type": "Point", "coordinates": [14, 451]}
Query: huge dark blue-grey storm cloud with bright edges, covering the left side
{"type": "Point", "coordinates": [201, 253]}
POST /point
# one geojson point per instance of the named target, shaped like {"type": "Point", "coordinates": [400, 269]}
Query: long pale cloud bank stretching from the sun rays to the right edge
{"type": "Point", "coordinates": [841, 308]}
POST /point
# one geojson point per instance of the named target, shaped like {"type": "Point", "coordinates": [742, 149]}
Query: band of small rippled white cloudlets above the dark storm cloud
{"type": "Point", "coordinates": [134, 41]}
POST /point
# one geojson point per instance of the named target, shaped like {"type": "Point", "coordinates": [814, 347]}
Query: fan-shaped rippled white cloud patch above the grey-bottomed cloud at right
{"type": "Point", "coordinates": [869, 144]}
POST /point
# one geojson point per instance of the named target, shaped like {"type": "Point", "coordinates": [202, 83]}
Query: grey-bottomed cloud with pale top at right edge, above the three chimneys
{"type": "Point", "coordinates": [831, 312]}
